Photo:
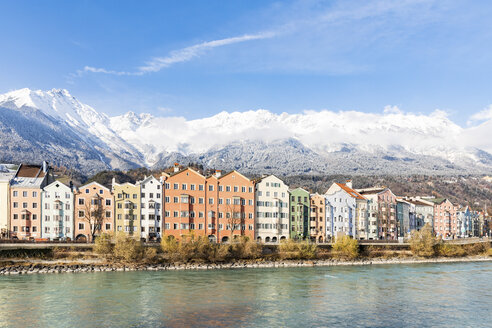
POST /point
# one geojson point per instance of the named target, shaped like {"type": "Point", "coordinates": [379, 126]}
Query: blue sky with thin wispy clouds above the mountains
{"type": "Point", "coordinates": [197, 58]}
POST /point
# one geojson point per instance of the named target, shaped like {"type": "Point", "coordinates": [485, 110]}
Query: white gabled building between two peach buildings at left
{"type": "Point", "coordinates": [57, 211]}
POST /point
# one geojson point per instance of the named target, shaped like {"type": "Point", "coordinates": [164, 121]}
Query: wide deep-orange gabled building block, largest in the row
{"type": "Point", "coordinates": [218, 207]}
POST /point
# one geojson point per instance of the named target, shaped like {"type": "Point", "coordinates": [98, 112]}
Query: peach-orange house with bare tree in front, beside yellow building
{"type": "Point", "coordinates": [94, 211]}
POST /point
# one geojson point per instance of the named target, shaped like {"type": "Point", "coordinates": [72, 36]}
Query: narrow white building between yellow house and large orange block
{"type": "Point", "coordinates": [150, 208]}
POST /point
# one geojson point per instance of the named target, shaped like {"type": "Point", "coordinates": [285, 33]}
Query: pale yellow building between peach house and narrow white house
{"type": "Point", "coordinates": [127, 208]}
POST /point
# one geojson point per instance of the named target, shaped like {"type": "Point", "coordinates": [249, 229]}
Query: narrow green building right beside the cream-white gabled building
{"type": "Point", "coordinates": [299, 214]}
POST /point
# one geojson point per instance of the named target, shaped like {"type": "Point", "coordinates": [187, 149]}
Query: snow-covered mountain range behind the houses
{"type": "Point", "coordinates": [55, 125]}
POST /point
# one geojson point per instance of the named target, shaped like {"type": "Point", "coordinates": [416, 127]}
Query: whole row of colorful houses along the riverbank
{"type": "Point", "coordinates": [33, 205]}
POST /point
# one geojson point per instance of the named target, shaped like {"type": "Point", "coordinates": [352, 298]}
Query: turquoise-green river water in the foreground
{"type": "Point", "coordinates": [421, 295]}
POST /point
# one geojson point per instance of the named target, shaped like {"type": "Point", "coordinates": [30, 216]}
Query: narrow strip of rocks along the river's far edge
{"type": "Point", "coordinates": [40, 268]}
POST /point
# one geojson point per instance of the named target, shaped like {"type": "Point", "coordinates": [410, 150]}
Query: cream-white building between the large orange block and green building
{"type": "Point", "coordinates": [272, 209]}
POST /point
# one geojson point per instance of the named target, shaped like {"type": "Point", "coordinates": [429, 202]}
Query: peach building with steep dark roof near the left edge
{"type": "Point", "coordinates": [25, 197]}
